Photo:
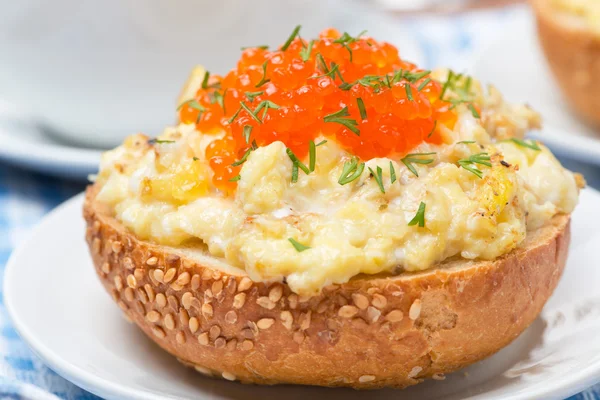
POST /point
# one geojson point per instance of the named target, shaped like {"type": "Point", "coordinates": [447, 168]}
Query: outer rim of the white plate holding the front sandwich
{"type": "Point", "coordinates": [85, 379]}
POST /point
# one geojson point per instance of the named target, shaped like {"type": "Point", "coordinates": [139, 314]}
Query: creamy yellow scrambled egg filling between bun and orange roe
{"type": "Point", "coordinates": [161, 193]}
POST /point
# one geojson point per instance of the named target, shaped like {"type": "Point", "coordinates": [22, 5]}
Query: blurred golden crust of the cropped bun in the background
{"type": "Point", "coordinates": [573, 53]}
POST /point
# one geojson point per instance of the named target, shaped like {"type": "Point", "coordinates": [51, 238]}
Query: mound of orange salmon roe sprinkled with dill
{"type": "Point", "coordinates": [355, 90]}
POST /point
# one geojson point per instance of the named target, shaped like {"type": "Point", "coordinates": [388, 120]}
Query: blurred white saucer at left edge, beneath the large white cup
{"type": "Point", "coordinates": [25, 145]}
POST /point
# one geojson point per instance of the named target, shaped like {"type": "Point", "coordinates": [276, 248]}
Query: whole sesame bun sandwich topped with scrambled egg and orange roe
{"type": "Point", "coordinates": [327, 213]}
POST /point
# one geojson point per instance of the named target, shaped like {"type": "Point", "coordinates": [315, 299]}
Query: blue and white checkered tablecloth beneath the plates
{"type": "Point", "coordinates": [26, 197]}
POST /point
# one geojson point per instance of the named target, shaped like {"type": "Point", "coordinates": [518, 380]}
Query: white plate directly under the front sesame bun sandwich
{"type": "Point", "coordinates": [59, 307]}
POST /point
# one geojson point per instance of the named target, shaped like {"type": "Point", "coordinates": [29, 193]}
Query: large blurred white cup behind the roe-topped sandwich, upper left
{"type": "Point", "coordinates": [96, 71]}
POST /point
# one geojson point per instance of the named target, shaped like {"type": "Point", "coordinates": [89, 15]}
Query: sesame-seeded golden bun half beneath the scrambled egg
{"type": "Point", "coordinates": [368, 333]}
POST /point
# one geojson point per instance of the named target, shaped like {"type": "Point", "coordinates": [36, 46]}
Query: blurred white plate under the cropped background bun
{"type": "Point", "coordinates": [516, 65]}
